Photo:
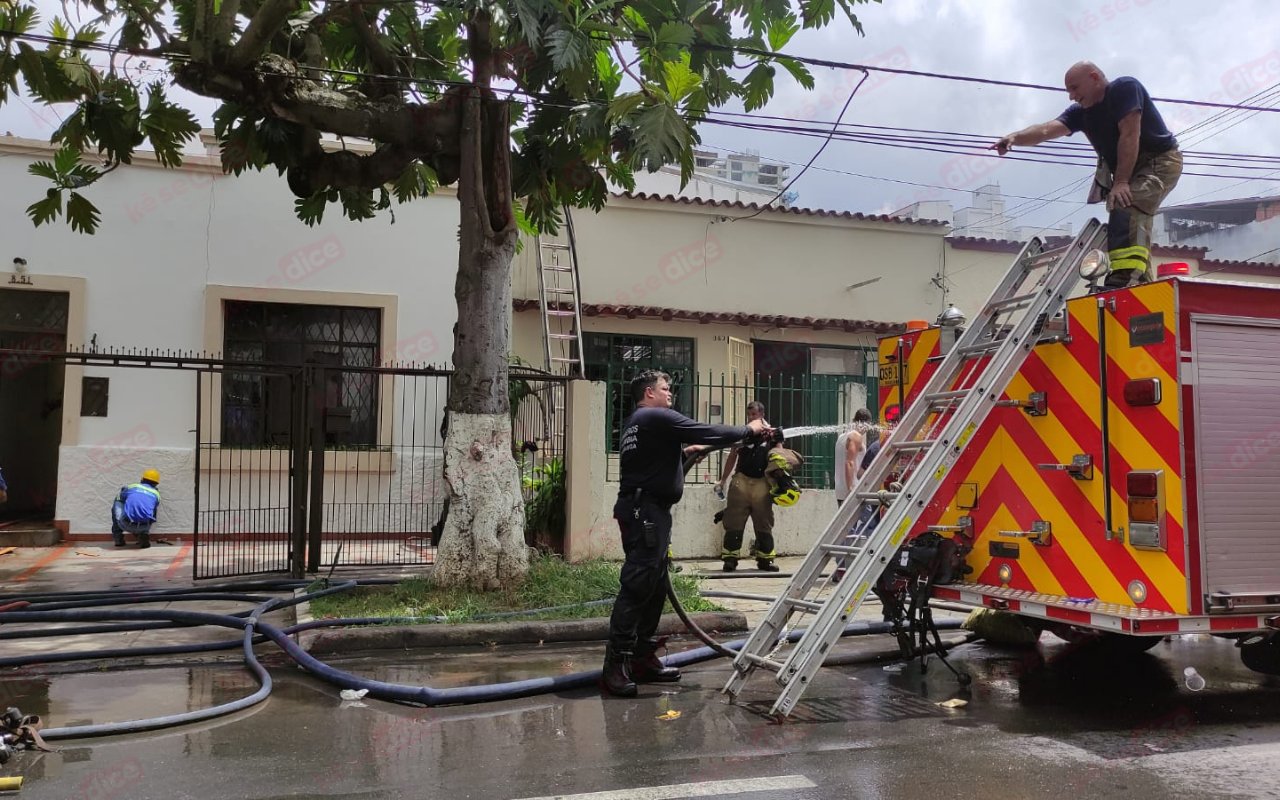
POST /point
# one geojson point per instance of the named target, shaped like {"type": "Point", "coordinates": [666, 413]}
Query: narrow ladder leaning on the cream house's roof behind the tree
{"type": "Point", "coordinates": [560, 294]}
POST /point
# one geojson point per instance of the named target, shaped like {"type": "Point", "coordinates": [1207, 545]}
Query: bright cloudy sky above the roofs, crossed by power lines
{"type": "Point", "coordinates": [1181, 49]}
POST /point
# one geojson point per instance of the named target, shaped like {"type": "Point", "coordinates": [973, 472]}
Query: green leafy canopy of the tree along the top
{"type": "Point", "coordinates": [597, 90]}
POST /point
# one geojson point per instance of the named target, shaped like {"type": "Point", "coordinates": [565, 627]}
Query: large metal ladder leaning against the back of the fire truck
{"type": "Point", "coordinates": [920, 452]}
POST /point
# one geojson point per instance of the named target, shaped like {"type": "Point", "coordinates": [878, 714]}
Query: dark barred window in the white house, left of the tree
{"type": "Point", "coordinates": [258, 409]}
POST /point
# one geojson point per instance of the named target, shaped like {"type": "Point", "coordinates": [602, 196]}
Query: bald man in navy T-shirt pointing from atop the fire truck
{"type": "Point", "coordinates": [1139, 161]}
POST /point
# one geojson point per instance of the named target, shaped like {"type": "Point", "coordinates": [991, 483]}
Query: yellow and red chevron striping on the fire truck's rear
{"type": "Point", "coordinates": [1004, 460]}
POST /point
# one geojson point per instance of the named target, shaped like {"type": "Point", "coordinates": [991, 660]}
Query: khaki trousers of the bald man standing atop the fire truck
{"type": "Point", "coordinates": [1130, 230]}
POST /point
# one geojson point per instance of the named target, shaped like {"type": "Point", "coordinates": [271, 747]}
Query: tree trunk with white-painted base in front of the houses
{"type": "Point", "coordinates": [483, 543]}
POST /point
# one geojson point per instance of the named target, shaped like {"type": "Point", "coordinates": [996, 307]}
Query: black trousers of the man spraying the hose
{"type": "Point", "coordinates": [638, 609]}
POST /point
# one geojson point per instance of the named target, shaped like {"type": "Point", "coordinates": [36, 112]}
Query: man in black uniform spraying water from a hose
{"type": "Point", "coordinates": [652, 482]}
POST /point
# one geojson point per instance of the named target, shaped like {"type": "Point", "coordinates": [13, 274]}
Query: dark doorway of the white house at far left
{"type": "Point", "coordinates": [31, 401]}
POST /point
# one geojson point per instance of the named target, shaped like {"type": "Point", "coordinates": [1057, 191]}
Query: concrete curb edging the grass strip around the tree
{"type": "Point", "coordinates": [445, 636]}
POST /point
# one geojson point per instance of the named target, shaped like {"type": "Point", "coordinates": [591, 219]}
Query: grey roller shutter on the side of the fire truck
{"type": "Point", "coordinates": [1238, 455]}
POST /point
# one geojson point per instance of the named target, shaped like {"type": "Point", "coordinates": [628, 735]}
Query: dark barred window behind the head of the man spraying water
{"type": "Point", "coordinates": [616, 359]}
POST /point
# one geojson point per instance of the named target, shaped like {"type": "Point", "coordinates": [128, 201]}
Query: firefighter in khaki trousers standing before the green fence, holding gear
{"type": "Point", "coordinates": [749, 497]}
